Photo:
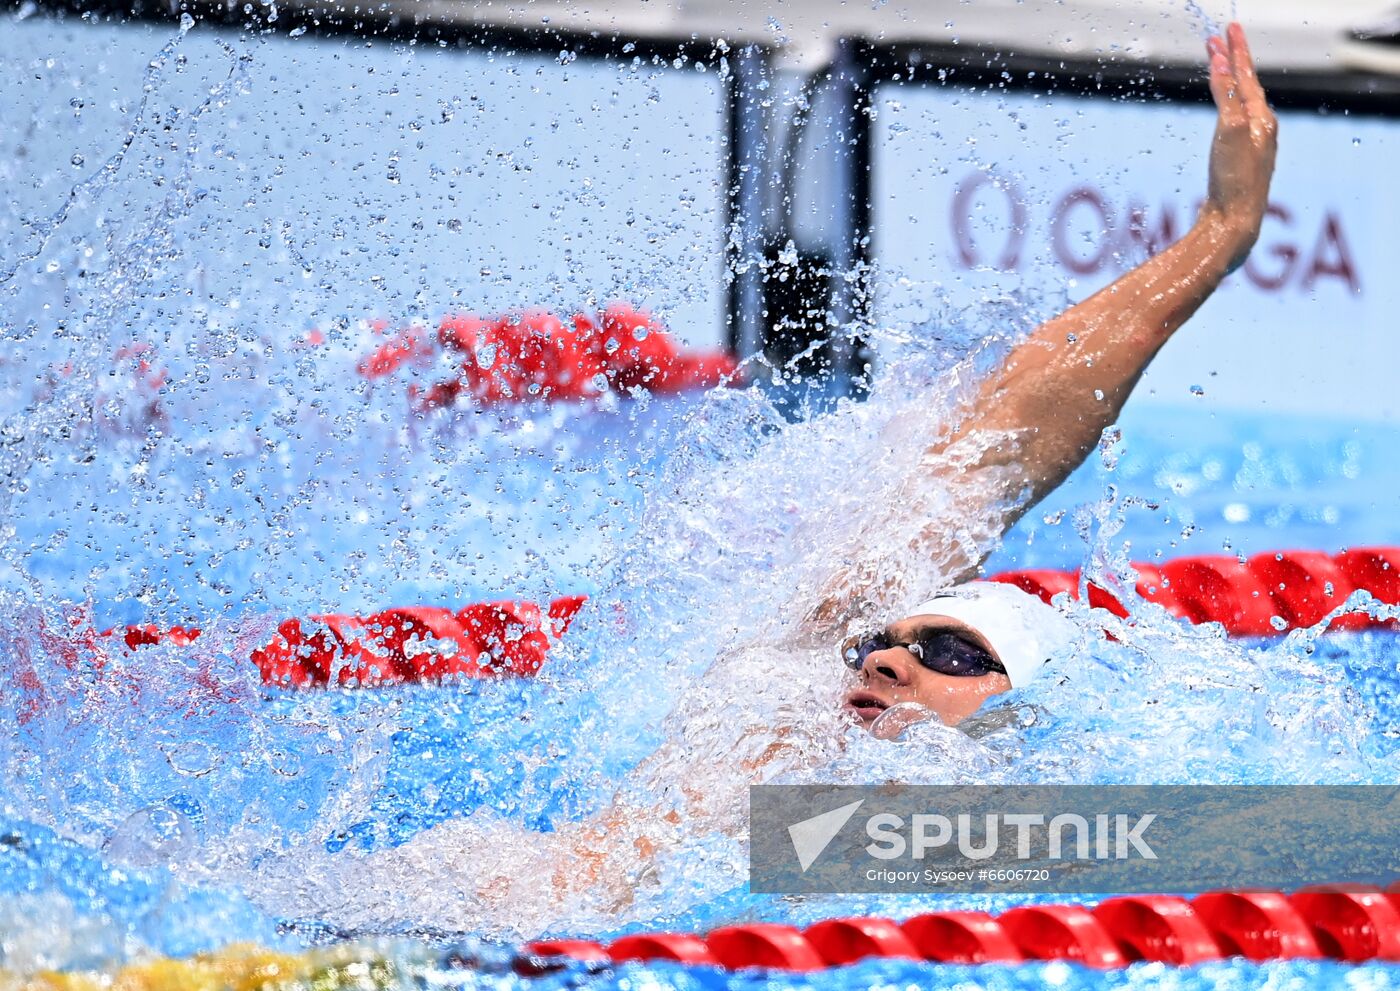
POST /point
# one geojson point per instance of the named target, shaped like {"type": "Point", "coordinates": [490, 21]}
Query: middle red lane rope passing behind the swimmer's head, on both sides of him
{"type": "Point", "coordinates": [1265, 596]}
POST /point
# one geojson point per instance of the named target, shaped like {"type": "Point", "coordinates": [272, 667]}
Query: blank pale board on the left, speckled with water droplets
{"type": "Point", "coordinates": [383, 180]}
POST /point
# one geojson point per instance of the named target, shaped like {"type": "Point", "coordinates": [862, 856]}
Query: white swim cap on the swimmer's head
{"type": "Point", "coordinates": [1023, 631]}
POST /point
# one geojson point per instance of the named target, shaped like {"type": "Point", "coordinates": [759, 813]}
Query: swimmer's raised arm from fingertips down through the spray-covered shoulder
{"type": "Point", "coordinates": [1045, 409]}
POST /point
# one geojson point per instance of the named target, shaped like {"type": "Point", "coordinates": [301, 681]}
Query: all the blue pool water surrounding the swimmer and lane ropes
{"type": "Point", "coordinates": [164, 801]}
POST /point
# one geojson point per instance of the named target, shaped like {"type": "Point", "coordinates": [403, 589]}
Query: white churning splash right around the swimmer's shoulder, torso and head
{"type": "Point", "coordinates": [694, 670]}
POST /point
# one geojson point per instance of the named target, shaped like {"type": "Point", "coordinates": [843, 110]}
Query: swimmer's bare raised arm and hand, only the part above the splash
{"type": "Point", "coordinates": [1069, 381]}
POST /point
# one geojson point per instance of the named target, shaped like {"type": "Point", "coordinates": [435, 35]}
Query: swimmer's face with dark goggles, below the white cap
{"type": "Point", "coordinates": [895, 675]}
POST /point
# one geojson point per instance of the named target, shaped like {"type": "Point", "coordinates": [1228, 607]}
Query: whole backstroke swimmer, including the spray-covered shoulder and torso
{"type": "Point", "coordinates": [1046, 409]}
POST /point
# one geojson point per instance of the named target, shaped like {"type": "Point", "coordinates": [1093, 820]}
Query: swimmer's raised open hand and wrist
{"type": "Point", "coordinates": [1247, 141]}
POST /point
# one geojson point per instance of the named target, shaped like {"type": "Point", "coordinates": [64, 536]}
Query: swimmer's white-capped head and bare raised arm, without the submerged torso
{"type": "Point", "coordinates": [1059, 390]}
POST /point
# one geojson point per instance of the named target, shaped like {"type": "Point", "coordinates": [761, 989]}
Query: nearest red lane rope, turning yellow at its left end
{"type": "Point", "coordinates": [1347, 925]}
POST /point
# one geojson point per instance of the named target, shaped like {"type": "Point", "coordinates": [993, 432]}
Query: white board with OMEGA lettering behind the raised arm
{"type": "Point", "coordinates": [981, 192]}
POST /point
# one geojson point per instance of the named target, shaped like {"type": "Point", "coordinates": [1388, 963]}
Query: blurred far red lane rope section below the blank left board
{"type": "Point", "coordinates": [534, 356]}
